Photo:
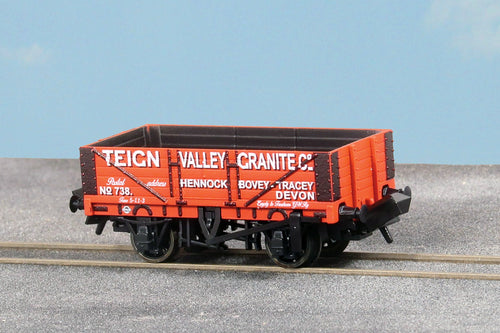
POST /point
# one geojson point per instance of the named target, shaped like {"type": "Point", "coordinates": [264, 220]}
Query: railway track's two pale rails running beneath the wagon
{"type": "Point", "coordinates": [414, 257]}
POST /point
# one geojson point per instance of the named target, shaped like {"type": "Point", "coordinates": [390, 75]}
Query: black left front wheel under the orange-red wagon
{"type": "Point", "coordinates": [155, 243]}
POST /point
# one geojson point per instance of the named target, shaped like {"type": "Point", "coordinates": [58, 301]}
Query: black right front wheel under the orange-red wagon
{"type": "Point", "coordinates": [311, 248]}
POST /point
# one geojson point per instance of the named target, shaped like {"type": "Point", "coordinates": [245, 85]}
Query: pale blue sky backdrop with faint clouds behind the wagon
{"type": "Point", "coordinates": [72, 72]}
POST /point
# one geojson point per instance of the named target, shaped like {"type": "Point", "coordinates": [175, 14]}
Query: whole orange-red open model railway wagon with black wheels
{"type": "Point", "coordinates": [198, 187]}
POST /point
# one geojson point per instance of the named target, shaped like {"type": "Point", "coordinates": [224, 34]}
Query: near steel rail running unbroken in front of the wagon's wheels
{"type": "Point", "coordinates": [253, 269]}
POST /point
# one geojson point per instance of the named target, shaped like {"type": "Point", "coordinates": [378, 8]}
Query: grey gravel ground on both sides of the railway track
{"type": "Point", "coordinates": [454, 210]}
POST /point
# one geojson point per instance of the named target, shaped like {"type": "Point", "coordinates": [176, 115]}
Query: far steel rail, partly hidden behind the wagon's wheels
{"type": "Point", "coordinates": [389, 256]}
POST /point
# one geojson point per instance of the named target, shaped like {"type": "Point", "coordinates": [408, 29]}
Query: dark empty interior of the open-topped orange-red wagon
{"type": "Point", "coordinates": [210, 137]}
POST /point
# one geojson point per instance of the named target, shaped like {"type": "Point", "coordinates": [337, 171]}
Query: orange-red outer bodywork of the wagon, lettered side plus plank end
{"type": "Point", "coordinates": [247, 183]}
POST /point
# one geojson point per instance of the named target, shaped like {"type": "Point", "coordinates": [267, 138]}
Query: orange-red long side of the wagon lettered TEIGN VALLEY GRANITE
{"type": "Point", "coordinates": [188, 177]}
